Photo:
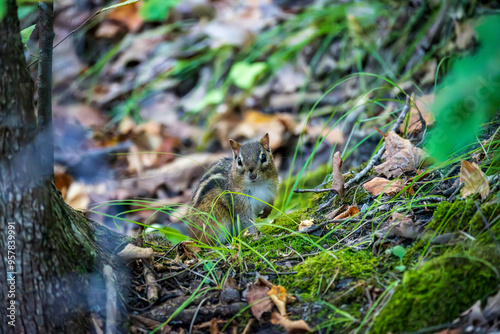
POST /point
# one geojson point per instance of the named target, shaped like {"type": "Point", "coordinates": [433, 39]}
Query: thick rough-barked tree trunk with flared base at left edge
{"type": "Point", "coordinates": [50, 261]}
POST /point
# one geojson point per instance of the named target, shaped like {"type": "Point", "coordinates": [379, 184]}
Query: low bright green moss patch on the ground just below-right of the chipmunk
{"type": "Point", "coordinates": [322, 267]}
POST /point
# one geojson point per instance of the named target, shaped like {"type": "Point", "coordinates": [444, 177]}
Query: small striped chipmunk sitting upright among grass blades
{"type": "Point", "coordinates": [217, 210]}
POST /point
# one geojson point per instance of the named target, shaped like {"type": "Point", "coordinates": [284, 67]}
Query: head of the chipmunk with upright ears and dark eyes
{"type": "Point", "coordinates": [252, 161]}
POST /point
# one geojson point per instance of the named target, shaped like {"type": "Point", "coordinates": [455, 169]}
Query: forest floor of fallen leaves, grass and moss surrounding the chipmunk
{"type": "Point", "coordinates": [378, 238]}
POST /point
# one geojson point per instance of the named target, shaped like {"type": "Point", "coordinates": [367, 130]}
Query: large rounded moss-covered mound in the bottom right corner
{"type": "Point", "coordinates": [436, 293]}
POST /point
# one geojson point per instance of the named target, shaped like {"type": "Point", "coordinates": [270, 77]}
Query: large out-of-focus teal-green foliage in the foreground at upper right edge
{"type": "Point", "coordinates": [469, 95]}
